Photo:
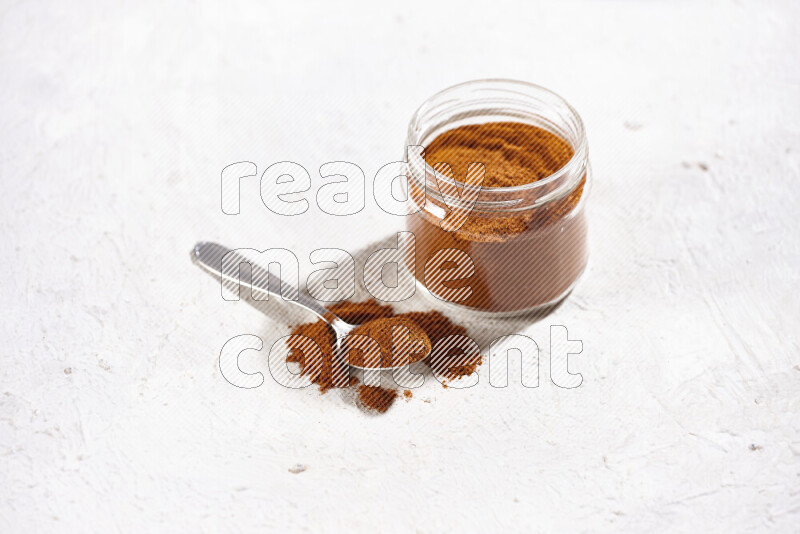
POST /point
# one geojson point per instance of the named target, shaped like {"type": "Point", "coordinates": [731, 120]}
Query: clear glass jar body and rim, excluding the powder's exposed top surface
{"type": "Point", "coordinates": [527, 243]}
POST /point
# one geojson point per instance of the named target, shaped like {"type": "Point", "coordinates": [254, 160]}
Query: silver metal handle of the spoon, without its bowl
{"type": "Point", "coordinates": [224, 263]}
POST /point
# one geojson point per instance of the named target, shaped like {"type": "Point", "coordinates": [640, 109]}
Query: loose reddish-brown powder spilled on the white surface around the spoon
{"type": "Point", "coordinates": [325, 370]}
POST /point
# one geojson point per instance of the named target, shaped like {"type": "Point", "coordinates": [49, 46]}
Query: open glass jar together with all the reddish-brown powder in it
{"type": "Point", "coordinates": [524, 226]}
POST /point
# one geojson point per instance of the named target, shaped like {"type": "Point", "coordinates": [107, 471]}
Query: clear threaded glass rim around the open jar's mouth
{"type": "Point", "coordinates": [580, 148]}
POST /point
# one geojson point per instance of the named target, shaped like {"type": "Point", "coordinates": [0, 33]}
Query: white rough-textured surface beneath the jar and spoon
{"type": "Point", "coordinates": [116, 123]}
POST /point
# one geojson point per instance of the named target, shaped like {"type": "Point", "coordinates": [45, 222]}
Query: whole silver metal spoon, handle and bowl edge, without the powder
{"type": "Point", "coordinates": [209, 257]}
